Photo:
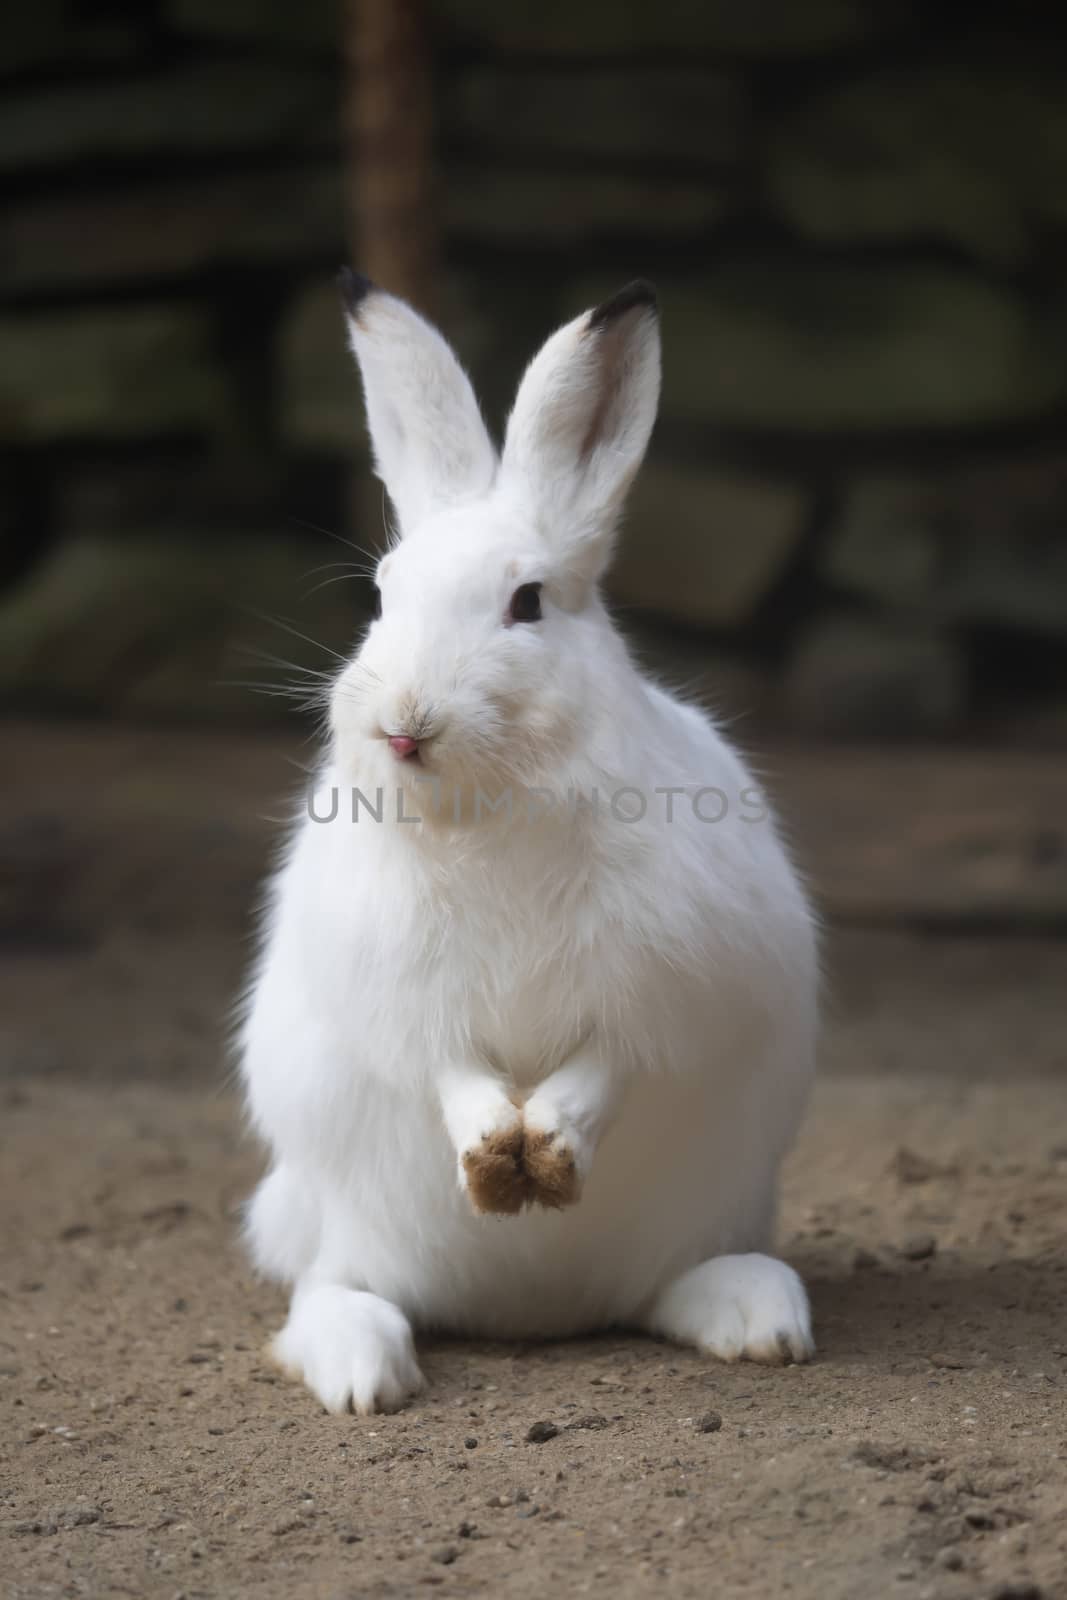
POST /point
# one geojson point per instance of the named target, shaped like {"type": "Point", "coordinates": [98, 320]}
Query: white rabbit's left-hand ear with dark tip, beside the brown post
{"type": "Point", "coordinates": [431, 446]}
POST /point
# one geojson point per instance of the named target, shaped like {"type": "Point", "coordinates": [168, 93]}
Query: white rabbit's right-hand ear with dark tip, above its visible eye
{"type": "Point", "coordinates": [581, 425]}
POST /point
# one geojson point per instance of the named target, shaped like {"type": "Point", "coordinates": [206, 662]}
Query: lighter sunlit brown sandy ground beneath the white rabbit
{"type": "Point", "coordinates": [150, 1449]}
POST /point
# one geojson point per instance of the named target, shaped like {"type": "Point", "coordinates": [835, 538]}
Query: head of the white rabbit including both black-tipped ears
{"type": "Point", "coordinates": [478, 668]}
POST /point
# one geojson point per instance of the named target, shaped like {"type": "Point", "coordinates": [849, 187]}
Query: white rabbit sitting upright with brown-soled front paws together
{"type": "Point", "coordinates": [559, 966]}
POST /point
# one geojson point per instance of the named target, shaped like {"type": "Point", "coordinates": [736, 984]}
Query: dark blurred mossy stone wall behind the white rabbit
{"type": "Point", "coordinates": [855, 516]}
